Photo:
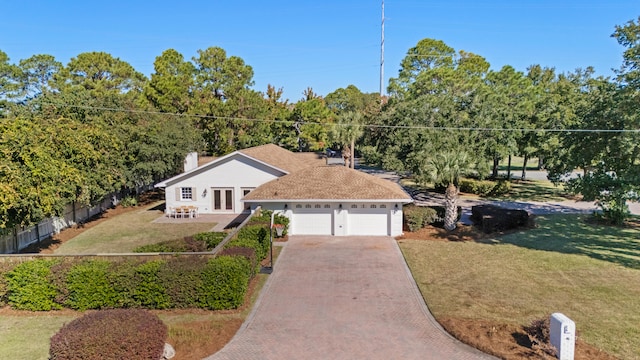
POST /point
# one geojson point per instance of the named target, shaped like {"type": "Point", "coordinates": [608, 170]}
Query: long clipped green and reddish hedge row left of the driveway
{"type": "Point", "coordinates": [181, 282]}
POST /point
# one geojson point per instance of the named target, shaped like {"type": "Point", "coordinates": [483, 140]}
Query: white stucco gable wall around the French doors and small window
{"type": "Point", "coordinates": [236, 173]}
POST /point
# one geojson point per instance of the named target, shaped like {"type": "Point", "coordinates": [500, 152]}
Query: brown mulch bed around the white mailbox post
{"type": "Point", "coordinates": [509, 341]}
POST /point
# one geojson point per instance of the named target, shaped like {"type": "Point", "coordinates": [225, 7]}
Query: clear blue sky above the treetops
{"type": "Point", "coordinates": [324, 45]}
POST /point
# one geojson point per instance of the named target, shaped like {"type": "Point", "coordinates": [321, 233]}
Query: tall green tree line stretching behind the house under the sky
{"type": "Point", "coordinates": [75, 132]}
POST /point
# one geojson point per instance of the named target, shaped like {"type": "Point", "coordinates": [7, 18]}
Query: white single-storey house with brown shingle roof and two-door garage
{"type": "Point", "coordinates": [318, 199]}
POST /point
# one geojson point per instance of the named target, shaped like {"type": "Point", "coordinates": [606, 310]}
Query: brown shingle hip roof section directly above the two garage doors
{"type": "Point", "coordinates": [328, 183]}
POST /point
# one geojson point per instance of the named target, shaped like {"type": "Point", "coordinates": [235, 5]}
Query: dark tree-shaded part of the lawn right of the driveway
{"type": "Point", "coordinates": [573, 234]}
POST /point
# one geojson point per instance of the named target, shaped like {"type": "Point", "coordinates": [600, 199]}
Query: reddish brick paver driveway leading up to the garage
{"type": "Point", "coordinates": [342, 298]}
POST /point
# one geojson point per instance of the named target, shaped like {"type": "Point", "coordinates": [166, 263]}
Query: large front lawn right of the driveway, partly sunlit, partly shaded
{"type": "Point", "coordinates": [590, 273]}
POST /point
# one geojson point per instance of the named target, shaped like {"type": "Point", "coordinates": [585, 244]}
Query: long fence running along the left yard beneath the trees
{"type": "Point", "coordinates": [14, 240]}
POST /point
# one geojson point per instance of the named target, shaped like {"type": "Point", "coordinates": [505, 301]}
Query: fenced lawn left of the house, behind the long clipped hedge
{"type": "Point", "coordinates": [128, 231]}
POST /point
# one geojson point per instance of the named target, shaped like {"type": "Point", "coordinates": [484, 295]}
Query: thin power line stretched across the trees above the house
{"type": "Point", "coordinates": [371, 126]}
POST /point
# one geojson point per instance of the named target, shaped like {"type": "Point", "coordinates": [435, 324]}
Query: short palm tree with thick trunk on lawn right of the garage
{"type": "Point", "coordinates": [445, 168]}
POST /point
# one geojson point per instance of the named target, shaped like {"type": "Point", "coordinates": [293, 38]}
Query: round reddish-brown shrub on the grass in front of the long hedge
{"type": "Point", "coordinates": [111, 334]}
